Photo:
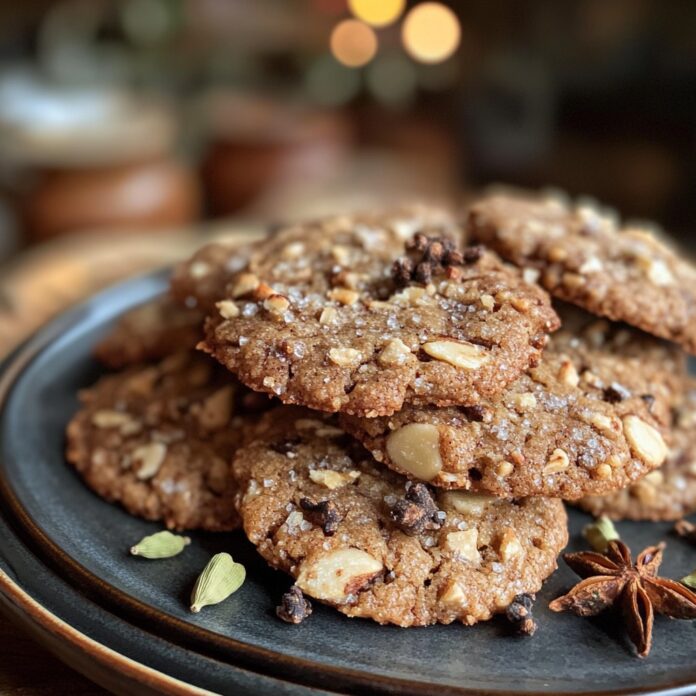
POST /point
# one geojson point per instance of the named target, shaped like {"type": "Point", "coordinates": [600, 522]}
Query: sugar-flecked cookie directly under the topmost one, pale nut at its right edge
{"type": "Point", "coordinates": [587, 420]}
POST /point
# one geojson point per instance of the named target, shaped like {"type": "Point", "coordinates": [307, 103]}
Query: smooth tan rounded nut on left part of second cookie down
{"type": "Point", "coordinates": [415, 448]}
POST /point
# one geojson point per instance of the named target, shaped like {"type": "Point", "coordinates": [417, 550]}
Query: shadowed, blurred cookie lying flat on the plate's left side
{"type": "Point", "coordinates": [159, 440]}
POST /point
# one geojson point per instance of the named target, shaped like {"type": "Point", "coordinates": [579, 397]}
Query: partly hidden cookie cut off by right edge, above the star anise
{"type": "Point", "coordinates": [669, 493]}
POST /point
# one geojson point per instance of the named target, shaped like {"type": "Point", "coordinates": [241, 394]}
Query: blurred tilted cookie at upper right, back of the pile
{"type": "Point", "coordinates": [582, 256]}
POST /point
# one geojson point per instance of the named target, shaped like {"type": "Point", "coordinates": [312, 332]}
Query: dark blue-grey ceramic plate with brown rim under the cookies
{"type": "Point", "coordinates": [66, 575]}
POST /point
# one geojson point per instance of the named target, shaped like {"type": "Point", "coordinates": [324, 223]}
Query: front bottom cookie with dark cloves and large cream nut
{"type": "Point", "coordinates": [372, 544]}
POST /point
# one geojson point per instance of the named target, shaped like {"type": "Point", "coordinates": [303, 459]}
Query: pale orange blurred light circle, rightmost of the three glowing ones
{"type": "Point", "coordinates": [431, 32]}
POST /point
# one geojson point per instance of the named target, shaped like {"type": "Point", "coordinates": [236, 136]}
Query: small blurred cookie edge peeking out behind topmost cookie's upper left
{"type": "Point", "coordinates": [200, 281]}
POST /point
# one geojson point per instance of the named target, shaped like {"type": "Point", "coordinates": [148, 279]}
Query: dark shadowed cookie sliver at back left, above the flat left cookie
{"type": "Point", "coordinates": [150, 332]}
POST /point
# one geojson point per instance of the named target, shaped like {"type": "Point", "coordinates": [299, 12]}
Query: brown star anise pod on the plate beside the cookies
{"type": "Point", "coordinates": [612, 579]}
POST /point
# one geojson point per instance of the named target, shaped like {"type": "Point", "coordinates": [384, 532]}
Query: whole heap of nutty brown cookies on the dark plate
{"type": "Point", "coordinates": [425, 416]}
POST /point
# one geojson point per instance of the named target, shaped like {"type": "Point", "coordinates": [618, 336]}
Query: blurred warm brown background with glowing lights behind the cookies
{"type": "Point", "coordinates": [133, 130]}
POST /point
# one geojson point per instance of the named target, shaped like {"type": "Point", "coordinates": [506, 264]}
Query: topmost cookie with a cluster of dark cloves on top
{"type": "Point", "coordinates": [338, 316]}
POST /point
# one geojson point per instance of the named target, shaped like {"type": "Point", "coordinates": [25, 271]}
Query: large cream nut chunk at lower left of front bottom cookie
{"type": "Point", "coordinates": [334, 576]}
